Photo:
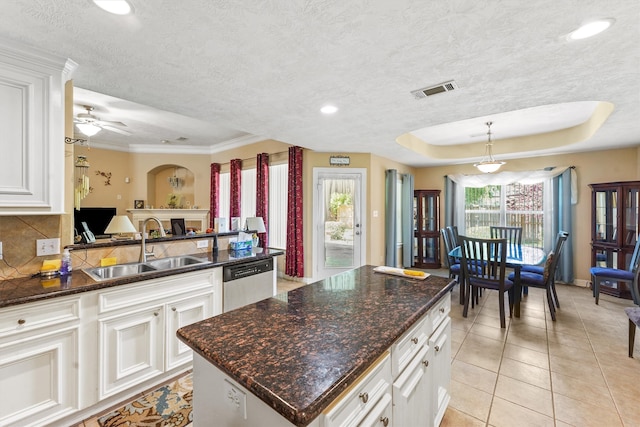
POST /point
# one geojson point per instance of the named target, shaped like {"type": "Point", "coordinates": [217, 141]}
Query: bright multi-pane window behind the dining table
{"type": "Point", "coordinates": [511, 205]}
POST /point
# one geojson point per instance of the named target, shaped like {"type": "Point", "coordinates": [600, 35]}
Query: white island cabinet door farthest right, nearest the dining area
{"type": "Point", "coordinates": [441, 343]}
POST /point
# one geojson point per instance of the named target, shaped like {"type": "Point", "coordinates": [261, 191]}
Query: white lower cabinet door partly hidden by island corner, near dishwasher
{"type": "Point", "coordinates": [181, 313]}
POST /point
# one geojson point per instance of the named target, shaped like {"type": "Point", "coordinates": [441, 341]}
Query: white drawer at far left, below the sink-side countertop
{"type": "Point", "coordinates": [37, 315]}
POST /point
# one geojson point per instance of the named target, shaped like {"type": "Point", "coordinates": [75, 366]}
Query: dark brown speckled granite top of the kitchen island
{"type": "Point", "coordinates": [298, 355]}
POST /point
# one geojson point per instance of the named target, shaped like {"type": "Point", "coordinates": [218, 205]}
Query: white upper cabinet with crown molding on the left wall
{"type": "Point", "coordinates": [32, 122]}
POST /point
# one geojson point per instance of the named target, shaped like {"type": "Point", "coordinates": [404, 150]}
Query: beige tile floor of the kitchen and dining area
{"type": "Point", "coordinates": [536, 372]}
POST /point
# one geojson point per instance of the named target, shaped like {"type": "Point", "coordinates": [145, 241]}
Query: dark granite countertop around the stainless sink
{"type": "Point", "coordinates": [29, 289]}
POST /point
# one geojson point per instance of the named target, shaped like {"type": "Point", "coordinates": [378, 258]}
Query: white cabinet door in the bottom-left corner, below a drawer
{"type": "Point", "coordinates": [39, 378]}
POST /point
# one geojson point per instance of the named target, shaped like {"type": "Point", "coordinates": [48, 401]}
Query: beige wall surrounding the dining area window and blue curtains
{"type": "Point", "coordinates": [591, 167]}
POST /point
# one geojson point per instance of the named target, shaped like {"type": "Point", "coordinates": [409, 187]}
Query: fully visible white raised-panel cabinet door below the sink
{"type": "Point", "coordinates": [131, 349]}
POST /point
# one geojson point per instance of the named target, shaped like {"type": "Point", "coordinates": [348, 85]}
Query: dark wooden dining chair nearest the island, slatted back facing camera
{"type": "Point", "coordinates": [484, 267]}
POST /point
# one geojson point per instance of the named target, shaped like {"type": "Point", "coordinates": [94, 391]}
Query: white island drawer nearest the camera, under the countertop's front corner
{"type": "Point", "coordinates": [352, 406]}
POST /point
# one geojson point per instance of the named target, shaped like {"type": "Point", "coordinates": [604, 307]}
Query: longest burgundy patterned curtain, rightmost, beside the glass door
{"type": "Point", "coordinates": [294, 256]}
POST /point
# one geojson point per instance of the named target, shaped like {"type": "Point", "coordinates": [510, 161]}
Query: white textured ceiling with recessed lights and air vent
{"type": "Point", "coordinates": [221, 73]}
